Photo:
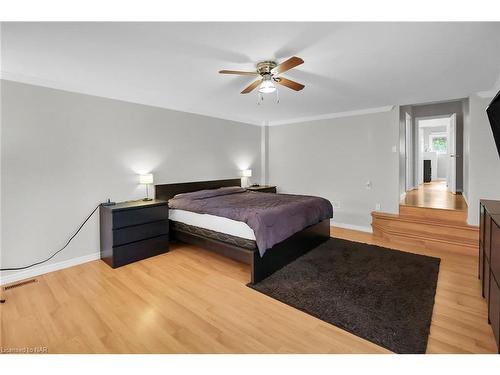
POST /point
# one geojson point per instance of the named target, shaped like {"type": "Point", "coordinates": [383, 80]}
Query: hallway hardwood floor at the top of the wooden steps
{"type": "Point", "coordinates": [434, 195]}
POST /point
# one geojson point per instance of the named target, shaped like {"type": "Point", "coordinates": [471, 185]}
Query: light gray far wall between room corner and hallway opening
{"type": "Point", "coordinates": [334, 158]}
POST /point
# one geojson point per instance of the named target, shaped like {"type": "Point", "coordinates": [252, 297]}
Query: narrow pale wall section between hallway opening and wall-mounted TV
{"type": "Point", "coordinates": [484, 163]}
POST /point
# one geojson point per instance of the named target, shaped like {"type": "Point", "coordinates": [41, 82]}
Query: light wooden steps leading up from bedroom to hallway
{"type": "Point", "coordinates": [428, 229]}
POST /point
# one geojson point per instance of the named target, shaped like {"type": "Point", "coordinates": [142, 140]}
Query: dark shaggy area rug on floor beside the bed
{"type": "Point", "coordinates": [382, 295]}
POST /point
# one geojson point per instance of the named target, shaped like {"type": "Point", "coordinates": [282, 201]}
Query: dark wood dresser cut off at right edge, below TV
{"type": "Point", "coordinates": [489, 261]}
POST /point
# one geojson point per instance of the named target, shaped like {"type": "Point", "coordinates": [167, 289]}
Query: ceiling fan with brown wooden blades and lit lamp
{"type": "Point", "coordinates": [268, 72]}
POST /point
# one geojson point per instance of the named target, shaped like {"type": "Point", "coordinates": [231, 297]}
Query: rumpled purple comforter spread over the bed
{"type": "Point", "coordinates": [273, 217]}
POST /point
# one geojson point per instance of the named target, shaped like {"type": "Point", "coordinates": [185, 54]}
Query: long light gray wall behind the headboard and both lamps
{"type": "Point", "coordinates": [62, 153]}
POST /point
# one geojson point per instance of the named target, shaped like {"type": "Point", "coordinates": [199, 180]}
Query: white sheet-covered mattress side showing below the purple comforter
{"type": "Point", "coordinates": [212, 222]}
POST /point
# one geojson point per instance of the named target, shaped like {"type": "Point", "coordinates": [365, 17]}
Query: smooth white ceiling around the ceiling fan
{"type": "Point", "coordinates": [348, 66]}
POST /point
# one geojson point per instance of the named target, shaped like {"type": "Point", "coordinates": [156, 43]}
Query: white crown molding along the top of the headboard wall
{"type": "Point", "coordinates": [78, 89]}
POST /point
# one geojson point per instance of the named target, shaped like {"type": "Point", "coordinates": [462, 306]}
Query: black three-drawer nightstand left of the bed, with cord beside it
{"type": "Point", "coordinates": [131, 231]}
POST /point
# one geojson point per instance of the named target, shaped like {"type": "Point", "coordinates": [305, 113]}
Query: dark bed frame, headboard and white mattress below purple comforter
{"type": "Point", "coordinates": [234, 238]}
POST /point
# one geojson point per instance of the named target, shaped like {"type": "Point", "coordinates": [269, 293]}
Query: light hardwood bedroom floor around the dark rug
{"type": "Point", "coordinates": [193, 301]}
